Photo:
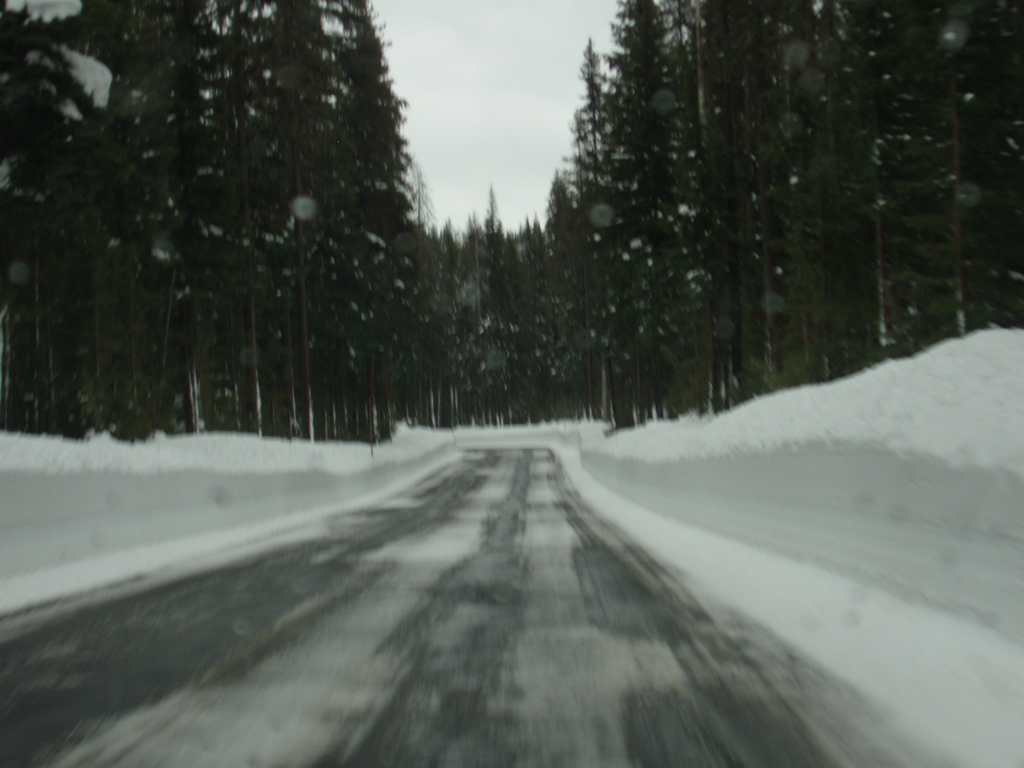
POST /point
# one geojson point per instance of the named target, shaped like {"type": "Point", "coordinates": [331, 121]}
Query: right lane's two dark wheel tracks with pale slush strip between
{"type": "Point", "coordinates": [561, 646]}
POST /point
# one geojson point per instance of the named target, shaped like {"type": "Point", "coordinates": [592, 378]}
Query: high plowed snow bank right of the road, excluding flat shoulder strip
{"type": "Point", "coordinates": [907, 478]}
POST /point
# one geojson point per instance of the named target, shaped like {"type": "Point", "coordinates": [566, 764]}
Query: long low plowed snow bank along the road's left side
{"type": "Point", "coordinates": [77, 516]}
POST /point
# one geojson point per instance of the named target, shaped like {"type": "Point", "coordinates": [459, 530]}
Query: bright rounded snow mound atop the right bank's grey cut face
{"type": "Point", "coordinates": [960, 402]}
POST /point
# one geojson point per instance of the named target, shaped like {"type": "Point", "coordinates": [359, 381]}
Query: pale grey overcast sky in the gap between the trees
{"type": "Point", "coordinates": [492, 88]}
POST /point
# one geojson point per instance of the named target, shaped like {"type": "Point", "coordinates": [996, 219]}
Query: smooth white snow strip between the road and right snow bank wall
{"type": "Point", "coordinates": [955, 687]}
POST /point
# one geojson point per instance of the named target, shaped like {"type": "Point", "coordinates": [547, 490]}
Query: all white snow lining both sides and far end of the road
{"type": "Point", "coordinates": [874, 524]}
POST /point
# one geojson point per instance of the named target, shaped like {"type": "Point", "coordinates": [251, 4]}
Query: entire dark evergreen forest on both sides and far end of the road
{"type": "Point", "coordinates": [761, 194]}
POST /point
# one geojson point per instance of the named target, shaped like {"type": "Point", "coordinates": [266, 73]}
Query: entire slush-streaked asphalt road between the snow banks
{"type": "Point", "coordinates": [486, 619]}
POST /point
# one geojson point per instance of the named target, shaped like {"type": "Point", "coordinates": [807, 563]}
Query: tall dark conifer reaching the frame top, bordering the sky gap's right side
{"type": "Point", "coordinates": [643, 148]}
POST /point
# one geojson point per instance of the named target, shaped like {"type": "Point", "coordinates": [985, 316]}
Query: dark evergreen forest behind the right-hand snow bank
{"type": "Point", "coordinates": [772, 193]}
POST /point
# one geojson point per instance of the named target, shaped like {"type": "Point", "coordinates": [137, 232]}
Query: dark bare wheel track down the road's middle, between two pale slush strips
{"type": "Point", "coordinates": [458, 642]}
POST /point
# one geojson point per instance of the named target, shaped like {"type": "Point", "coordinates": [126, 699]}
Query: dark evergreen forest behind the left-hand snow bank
{"type": "Point", "coordinates": [220, 247]}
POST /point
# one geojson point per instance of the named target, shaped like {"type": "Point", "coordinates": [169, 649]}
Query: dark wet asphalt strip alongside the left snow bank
{"type": "Point", "coordinates": [66, 674]}
